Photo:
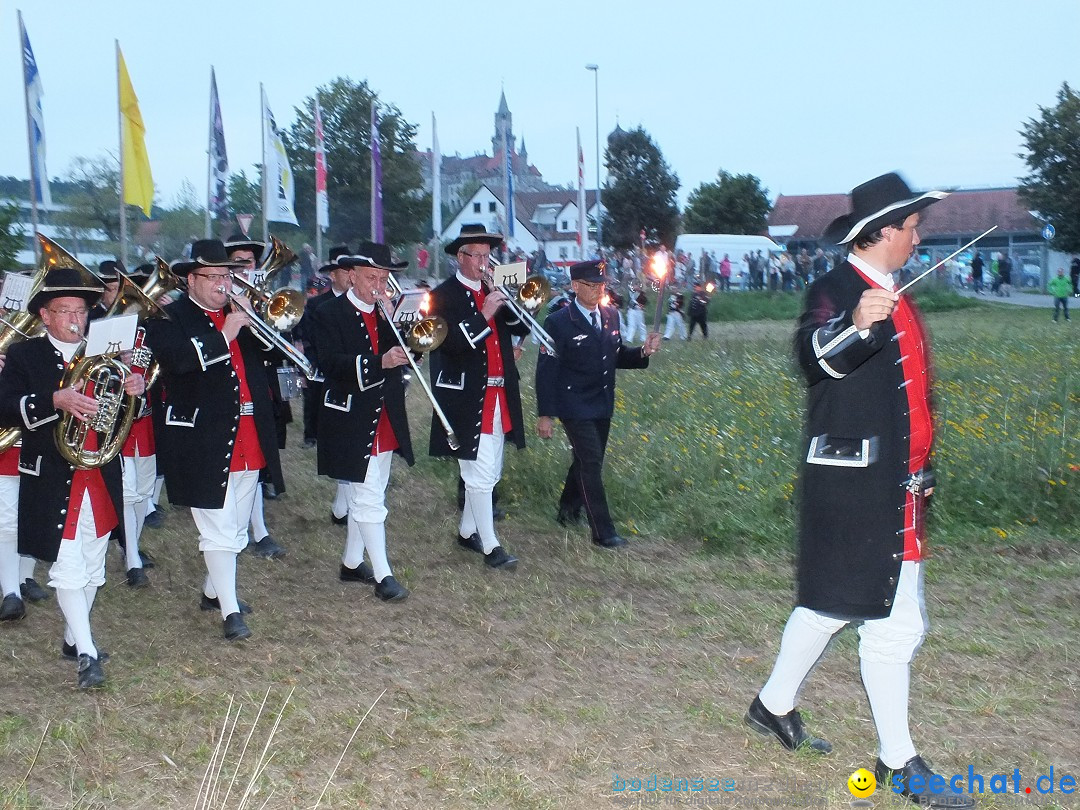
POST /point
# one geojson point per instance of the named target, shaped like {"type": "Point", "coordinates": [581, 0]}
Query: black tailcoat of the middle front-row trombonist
{"type": "Point", "coordinates": [358, 388]}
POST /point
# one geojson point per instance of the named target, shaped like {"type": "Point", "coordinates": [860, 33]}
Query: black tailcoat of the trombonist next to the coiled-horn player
{"type": "Point", "coordinates": [202, 404]}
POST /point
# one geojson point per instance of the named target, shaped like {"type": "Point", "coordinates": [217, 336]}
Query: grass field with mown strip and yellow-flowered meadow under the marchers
{"type": "Point", "coordinates": [546, 687]}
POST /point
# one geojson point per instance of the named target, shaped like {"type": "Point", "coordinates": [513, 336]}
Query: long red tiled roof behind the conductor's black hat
{"type": "Point", "coordinates": [961, 213]}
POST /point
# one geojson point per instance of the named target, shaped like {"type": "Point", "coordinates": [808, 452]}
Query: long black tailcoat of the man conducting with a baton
{"type": "Point", "coordinates": [852, 526]}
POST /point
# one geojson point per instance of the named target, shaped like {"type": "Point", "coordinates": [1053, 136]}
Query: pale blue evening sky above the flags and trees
{"type": "Point", "coordinates": [812, 98]}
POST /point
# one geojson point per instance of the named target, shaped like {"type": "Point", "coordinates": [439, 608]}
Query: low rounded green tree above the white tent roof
{"type": "Point", "coordinates": [733, 205]}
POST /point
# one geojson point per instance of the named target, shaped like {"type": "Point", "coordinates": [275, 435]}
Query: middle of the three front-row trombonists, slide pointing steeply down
{"type": "Point", "coordinates": [363, 421]}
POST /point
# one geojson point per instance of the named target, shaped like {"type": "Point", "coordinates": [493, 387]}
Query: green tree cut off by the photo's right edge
{"type": "Point", "coordinates": [1052, 154]}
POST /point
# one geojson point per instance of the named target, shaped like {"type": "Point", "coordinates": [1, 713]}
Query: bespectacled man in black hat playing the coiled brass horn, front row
{"type": "Point", "coordinates": [65, 515]}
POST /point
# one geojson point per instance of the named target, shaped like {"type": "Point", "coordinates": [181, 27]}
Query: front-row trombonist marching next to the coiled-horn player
{"type": "Point", "coordinates": [219, 424]}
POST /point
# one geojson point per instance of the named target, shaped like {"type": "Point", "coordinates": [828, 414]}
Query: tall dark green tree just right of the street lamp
{"type": "Point", "coordinates": [641, 191]}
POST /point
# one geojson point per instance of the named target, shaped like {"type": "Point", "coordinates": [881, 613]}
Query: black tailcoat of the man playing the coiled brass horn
{"type": "Point", "coordinates": [32, 374]}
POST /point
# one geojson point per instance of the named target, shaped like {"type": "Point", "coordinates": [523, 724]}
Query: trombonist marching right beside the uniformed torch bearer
{"type": "Point", "coordinates": [476, 382]}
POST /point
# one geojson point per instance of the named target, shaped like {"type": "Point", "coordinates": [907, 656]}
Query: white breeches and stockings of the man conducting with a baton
{"type": "Point", "coordinates": [886, 650]}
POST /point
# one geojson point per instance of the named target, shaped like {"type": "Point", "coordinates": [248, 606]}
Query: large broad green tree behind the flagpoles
{"type": "Point", "coordinates": [346, 109]}
